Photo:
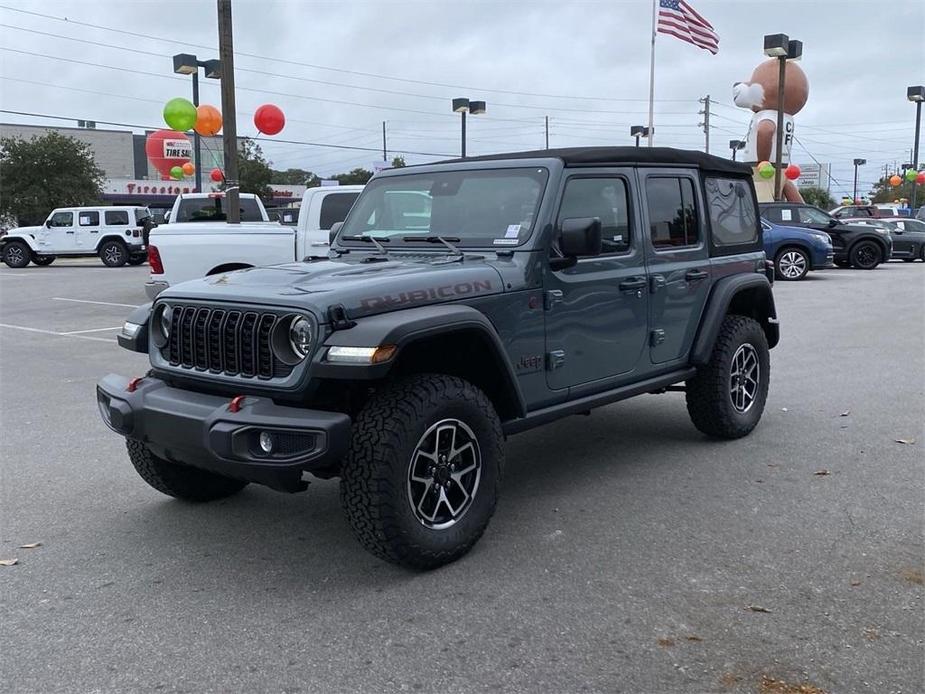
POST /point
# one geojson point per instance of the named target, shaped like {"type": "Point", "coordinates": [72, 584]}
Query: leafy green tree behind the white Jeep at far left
{"type": "Point", "coordinates": [46, 172]}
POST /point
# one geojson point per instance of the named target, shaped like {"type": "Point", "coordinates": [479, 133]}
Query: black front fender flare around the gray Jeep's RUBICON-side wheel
{"type": "Point", "coordinates": [406, 327]}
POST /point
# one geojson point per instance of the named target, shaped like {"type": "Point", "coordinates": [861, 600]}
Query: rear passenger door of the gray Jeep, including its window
{"type": "Point", "coordinates": [678, 262]}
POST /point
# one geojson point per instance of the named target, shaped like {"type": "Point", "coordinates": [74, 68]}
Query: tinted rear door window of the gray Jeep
{"type": "Point", "coordinates": [672, 213]}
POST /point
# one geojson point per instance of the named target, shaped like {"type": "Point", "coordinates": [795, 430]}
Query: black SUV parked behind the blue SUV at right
{"type": "Point", "coordinates": [861, 246]}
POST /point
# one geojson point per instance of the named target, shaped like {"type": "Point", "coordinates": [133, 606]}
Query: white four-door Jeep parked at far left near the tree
{"type": "Point", "coordinates": [116, 234]}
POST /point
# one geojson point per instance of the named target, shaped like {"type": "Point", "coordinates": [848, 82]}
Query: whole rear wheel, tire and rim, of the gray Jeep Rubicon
{"type": "Point", "coordinates": [727, 396]}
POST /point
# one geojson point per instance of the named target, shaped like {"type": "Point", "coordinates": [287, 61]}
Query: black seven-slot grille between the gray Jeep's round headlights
{"type": "Point", "coordinates": [230, 341]}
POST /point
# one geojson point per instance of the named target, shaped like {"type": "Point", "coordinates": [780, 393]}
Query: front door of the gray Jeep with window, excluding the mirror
{"type": "Point", "coordinates": [596, 310]}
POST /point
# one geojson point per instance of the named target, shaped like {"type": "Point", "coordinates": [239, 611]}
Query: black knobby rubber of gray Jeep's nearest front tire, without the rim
{"type": "Point", "coordinates": [368, 495]}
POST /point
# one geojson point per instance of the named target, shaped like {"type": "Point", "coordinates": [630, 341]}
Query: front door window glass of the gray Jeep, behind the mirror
{"type": "Point", "coordinates": [604, 198]}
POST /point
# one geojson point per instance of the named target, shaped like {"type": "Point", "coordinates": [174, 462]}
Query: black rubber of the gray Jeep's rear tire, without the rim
{"type": "Point", "coordinates": [707, 392]}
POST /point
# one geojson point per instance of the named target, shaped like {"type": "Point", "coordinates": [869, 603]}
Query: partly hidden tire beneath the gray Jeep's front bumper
{"type": "Point", "coordinates": [180, 481]}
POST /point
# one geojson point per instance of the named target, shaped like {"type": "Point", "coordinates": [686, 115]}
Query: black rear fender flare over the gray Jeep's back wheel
{"type": "Point", "coordinates": [721, 298]}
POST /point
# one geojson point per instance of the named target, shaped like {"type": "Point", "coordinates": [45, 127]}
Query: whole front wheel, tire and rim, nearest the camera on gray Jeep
{"type": "Point", "coordinates": [420, 481]}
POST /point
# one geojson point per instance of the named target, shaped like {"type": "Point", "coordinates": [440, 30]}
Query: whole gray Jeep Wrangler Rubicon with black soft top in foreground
{"type": "Point", "coordinates": [459, 303]}
